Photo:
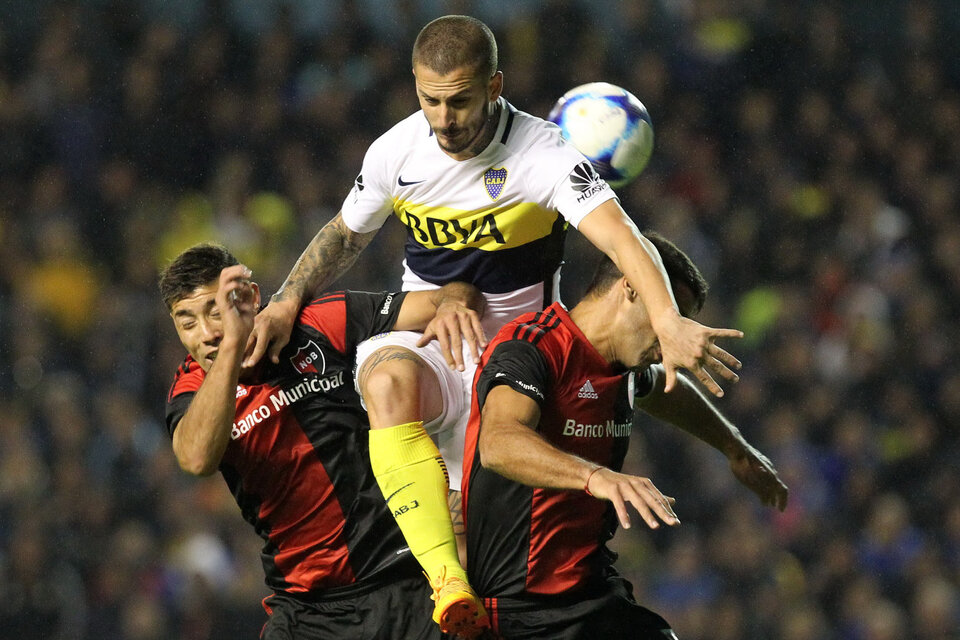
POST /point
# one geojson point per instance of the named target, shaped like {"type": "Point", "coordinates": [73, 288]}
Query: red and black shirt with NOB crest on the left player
{"type": "Point", "coordinates": [298, 459]}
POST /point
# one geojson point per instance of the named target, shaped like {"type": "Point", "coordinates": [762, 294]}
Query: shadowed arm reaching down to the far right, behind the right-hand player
{"type": "Point", "coordinates": [690, 410]}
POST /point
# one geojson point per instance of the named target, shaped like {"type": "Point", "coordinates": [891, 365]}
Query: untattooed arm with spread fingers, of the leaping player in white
{"type": "Point", "coordinates": [684, 343]}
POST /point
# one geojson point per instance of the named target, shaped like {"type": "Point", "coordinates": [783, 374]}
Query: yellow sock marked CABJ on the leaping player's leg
{"type": "Point", "coordinates": [413, 479]}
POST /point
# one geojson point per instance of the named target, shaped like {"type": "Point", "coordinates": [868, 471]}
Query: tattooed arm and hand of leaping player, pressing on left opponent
{"type": "Point", "coordinates": [329, 255]}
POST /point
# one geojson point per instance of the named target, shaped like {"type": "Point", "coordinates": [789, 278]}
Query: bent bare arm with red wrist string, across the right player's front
{"type": "Point", "coordinates": [509, 445]}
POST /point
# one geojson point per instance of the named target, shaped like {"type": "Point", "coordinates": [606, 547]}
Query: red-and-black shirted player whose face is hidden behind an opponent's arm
{"type": "Point", "coordinates": [549, 428]}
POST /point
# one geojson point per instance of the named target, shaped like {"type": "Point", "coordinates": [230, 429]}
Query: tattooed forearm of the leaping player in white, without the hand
{"type": "Point", "coordinates": [329, 254]}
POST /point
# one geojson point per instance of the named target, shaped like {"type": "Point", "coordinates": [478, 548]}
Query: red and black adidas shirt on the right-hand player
{"type": "Point", "coordinates": [522, 540]}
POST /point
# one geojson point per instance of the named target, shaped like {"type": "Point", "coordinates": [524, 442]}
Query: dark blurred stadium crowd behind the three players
{"type": "Point", "coordinates": [807, 157]}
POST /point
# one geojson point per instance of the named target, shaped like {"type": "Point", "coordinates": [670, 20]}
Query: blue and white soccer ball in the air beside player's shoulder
{"type": "Point", "coordinates": [608, 125]}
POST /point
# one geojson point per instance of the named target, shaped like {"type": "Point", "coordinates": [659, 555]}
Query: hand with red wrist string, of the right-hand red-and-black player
{"type": "Point", "coordinates": [621, 488]}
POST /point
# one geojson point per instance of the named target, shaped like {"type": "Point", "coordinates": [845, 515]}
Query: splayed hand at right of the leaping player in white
{"type": "Point", "coordinates": [686, 344]}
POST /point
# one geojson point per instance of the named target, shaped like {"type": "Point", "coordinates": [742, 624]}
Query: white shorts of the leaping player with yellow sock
{"type": "Point", "coordinates": [448, 430]}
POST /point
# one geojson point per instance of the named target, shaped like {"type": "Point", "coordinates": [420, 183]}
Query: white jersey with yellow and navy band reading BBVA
{"type": "Point", "coordinates": [496, 220]}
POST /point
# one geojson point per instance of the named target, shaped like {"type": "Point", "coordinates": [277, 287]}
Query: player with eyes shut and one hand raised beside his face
{"type": "Point", "coordinates": [290, 439]}
